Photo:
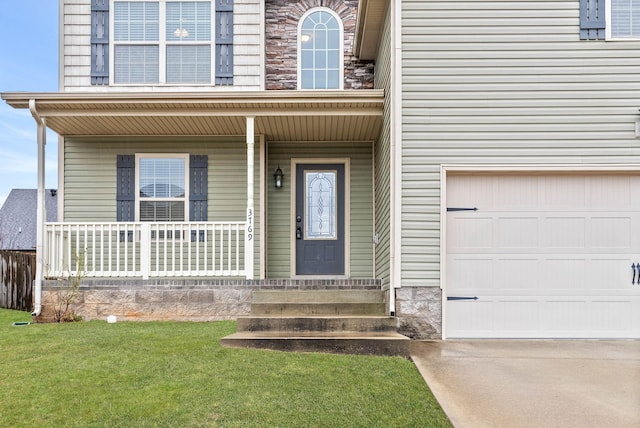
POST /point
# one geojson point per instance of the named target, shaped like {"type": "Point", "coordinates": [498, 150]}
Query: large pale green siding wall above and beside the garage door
{"type": "Point", "coordinates": [503, 83]}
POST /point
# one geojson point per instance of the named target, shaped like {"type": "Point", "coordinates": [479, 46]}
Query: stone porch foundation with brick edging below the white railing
{"type": "Point", "coordinates": [181, 300]}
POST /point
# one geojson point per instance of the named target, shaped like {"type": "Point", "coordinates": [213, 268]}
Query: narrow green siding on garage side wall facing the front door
{"type": "Point", "coordinates": [383, 160]}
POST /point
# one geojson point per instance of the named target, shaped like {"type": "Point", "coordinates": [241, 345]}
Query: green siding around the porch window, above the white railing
{"type": "Point", "coordinates": [90, 176]}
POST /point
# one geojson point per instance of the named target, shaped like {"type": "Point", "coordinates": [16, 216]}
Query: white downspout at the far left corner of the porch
{"type": "Point", "coordinates": [40, 210]}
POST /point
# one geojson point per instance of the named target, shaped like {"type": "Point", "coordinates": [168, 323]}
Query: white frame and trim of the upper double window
{"type": "Point", "coordinates": [162, 46]}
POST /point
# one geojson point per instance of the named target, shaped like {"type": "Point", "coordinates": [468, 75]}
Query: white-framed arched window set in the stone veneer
{"type": "Point", "coordinates": [320, 56]}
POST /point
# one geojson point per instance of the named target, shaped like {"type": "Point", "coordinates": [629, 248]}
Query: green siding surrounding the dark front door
{"type": "Point", "coordinates": [279, 203]}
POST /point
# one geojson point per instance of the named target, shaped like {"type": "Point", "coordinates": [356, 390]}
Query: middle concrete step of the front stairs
{"type": "Point", "coordinates": [319, 324]}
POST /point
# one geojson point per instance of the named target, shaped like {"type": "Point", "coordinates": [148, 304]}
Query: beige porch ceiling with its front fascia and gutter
{"type": "Point", "coordinates": [351, 115]}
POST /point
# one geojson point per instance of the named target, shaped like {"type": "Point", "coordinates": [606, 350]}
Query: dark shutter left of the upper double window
{"type": "Point", "coordinates": [99, 42]}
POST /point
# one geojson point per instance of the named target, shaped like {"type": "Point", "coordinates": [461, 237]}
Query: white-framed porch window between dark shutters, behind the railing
{"type": "Point", "coordinates": [162, 187]}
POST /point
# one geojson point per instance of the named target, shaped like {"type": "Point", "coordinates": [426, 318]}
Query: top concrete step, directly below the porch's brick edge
{"type": "Point", "coordinates": [318, 296]}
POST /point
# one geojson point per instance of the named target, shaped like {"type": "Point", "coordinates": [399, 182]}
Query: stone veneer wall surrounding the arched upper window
{"type": "Point", "coordinates": [282, 17]}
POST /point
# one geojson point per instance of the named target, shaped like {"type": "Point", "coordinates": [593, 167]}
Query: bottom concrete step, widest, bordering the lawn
{"type": "Point", "coordinates": [337, 343]}
